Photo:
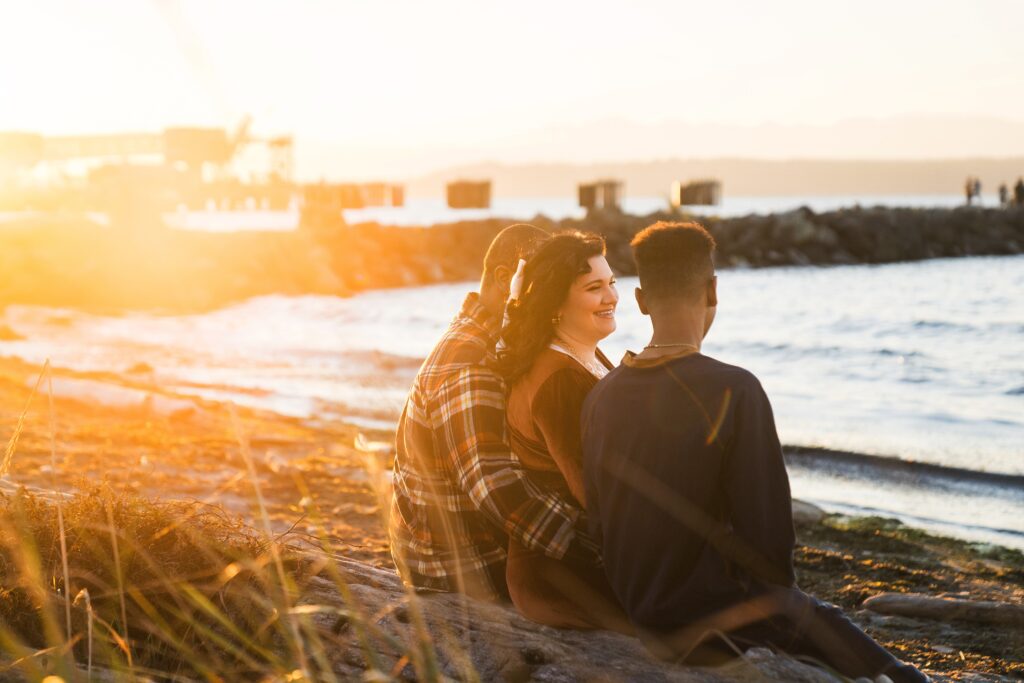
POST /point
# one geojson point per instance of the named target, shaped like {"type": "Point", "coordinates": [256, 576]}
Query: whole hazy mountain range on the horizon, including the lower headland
{"type": "Point", "coordinates": [905, 155]}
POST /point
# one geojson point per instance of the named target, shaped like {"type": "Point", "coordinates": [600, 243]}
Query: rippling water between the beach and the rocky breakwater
{"type": "Point", "coordinates": [914, 363]}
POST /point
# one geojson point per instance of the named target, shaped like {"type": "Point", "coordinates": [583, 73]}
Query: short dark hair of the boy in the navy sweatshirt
{"type": "Point", "coordinates": [674, 261]}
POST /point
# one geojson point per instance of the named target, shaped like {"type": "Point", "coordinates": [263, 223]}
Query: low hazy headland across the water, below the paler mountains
{"type": "Point", "coordinates": [741, 178]}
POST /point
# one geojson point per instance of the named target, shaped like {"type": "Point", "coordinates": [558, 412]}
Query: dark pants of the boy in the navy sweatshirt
{"type": "Point", "coordinates": [792, 622]}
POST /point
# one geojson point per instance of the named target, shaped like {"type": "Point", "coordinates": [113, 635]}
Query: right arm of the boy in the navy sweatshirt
{"type": "Point", "coordinates": [758, 488]}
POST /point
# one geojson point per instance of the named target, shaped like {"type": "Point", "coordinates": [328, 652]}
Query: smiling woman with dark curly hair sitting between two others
{"type": "Point", "coordinates": [549, 357]}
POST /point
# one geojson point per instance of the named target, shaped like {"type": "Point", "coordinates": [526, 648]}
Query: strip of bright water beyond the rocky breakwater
{"type": "Point", "coordinates": [435, 211]}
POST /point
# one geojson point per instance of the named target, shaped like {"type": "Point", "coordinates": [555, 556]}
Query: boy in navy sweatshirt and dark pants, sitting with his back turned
{"type": "Point", "coordinates": [688, 491]}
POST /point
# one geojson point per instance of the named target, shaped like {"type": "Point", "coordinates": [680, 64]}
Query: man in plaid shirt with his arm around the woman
{"type": "Point", "coordinates": [460, 494]}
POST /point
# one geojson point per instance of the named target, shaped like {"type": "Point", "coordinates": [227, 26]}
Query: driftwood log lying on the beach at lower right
{"type": "Point", "coordinates": [946, 610]}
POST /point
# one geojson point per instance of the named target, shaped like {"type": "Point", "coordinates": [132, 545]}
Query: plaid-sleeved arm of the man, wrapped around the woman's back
{"type": "Point", "coordinates": [471, 421]}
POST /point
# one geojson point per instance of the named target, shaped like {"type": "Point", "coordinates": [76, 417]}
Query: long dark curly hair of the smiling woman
{"type": "Point", "coordinates": [547, 279]}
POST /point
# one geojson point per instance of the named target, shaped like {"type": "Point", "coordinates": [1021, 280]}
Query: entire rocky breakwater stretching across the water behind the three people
{"type": "Point", "coordinates": [63, 262]}
